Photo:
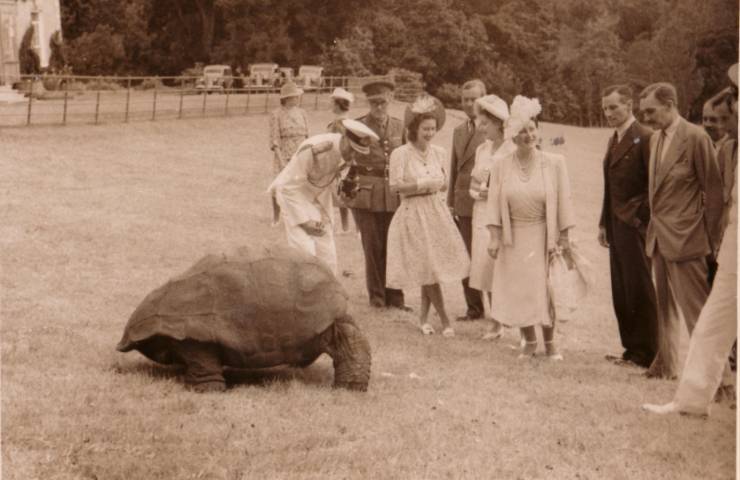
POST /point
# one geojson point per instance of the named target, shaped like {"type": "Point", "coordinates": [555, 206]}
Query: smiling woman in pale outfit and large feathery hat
{"type": "Point", "coordinates": [529, 215]}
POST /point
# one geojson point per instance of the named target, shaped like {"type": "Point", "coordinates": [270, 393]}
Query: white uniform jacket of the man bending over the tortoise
{"type": "Point", "coordinates": [305, 187]}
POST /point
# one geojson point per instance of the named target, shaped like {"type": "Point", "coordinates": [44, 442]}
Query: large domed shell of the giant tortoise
{"type": "Point", "coordinates": [262, 305]}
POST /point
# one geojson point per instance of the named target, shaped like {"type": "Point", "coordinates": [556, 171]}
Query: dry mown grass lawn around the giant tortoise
{"type": "Point", "coordinates": [95, 217]}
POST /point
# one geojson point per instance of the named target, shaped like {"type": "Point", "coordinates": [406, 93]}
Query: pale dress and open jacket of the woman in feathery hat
{"type": "Point", "coordinates": [531, 211]}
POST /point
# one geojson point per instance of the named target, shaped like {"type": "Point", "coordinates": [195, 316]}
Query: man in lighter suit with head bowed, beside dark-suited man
{"type": "Point", "coordinates": [685, 191]}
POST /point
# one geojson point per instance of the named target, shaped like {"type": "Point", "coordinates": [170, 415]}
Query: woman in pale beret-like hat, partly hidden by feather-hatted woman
{"type": "Point", "coordinates": [492, 112]}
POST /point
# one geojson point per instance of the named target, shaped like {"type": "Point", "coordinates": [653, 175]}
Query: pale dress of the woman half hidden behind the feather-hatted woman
{"type": "Point", "coordinates": [481, 263]}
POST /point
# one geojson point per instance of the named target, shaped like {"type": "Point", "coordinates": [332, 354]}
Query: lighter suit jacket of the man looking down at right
{"type": "Point", "coordinates": [685, 193]}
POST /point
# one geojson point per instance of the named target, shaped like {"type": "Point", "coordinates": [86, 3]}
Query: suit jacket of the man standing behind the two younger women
{"type": "Point", "coordinates": [464, 146]}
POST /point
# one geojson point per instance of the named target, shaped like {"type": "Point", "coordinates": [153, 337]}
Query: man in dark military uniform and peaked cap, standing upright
{"type": "Point", "coordinates": [374, 204]}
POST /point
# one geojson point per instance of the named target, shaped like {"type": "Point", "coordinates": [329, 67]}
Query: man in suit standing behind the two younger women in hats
{"type": "Point", "coordinates": [466, 138]}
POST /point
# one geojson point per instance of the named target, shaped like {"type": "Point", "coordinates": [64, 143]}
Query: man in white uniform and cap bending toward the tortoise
{"type": "Point", "coordinates": [304, 188]}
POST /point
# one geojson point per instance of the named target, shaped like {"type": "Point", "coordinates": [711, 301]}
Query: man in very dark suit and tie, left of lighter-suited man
{"type": "Point", "coordinates": [625, 214]}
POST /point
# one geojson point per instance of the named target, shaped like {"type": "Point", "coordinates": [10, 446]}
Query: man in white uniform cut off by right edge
{"type": "Point", "coordinates": [716, 328]}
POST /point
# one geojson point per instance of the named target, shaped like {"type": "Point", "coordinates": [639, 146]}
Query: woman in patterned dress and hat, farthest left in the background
{"type": "Point", "coordinates": [288, 126]}
